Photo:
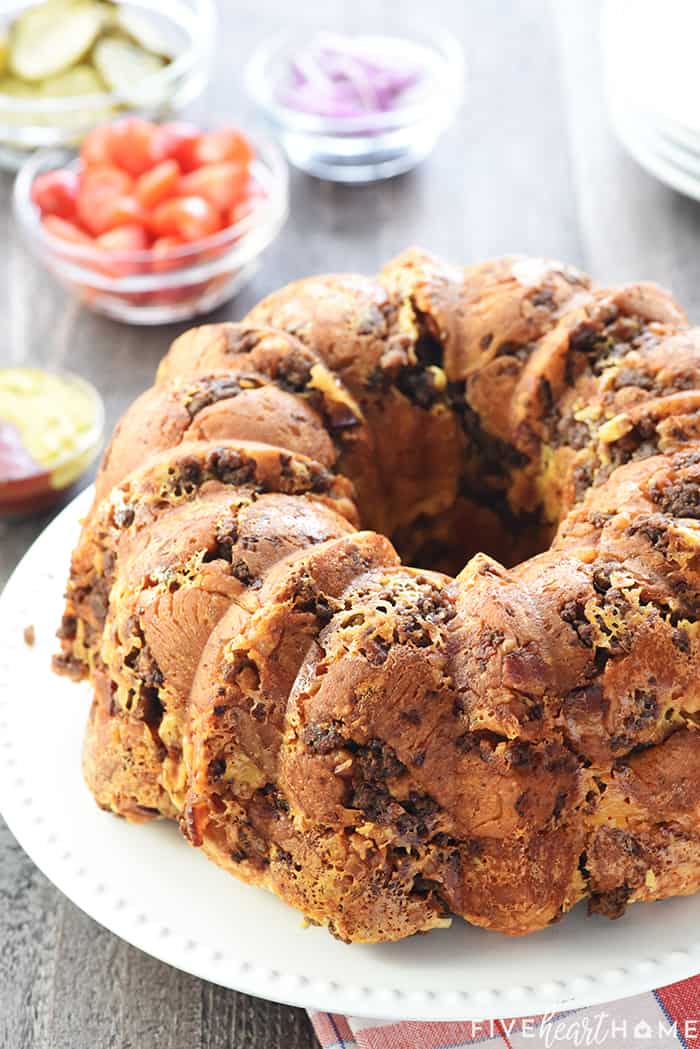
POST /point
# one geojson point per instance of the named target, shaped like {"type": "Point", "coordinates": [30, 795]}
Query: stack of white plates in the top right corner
{"type": "Point", "coordinates": [651, 51]}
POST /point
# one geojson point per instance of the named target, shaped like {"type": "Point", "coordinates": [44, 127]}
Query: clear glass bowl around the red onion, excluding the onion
{"type": "Point", "coordinates": [375, 145]}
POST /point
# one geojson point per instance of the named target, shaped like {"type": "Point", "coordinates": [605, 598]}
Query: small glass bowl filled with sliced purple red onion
{"type": "Point", "coordinates": [362, 106]}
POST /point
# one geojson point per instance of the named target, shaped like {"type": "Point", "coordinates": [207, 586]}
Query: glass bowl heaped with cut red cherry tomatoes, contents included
{"type": "Point", "coordinates": [154, 223]}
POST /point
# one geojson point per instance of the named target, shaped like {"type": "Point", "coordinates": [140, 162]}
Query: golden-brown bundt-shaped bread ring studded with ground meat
{"type": "Point", "coordinates": [386, 746]}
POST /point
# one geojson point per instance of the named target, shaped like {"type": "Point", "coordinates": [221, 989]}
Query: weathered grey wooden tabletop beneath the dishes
{"type": "Point", "coordinates": [531, 166]}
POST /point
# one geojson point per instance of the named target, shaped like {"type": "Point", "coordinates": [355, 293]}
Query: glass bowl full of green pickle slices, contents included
{"type": "Point", "coordinates": [68, 66]}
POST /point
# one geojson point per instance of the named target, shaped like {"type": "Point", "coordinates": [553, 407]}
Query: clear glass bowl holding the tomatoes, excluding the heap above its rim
{"type": "Point", "coordinates": [143, 288]}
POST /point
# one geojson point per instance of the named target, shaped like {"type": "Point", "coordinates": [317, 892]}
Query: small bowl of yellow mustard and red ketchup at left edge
{"type": "Point", "coordinates": [52, 426]}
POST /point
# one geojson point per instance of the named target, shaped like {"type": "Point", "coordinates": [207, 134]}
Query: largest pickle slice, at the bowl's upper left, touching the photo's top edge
{"type": "Point", "coordinates": [50, 39]}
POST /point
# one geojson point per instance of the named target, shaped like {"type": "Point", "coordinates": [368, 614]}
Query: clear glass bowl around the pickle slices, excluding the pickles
{"type": "Point", "coordinates": [31, 123]}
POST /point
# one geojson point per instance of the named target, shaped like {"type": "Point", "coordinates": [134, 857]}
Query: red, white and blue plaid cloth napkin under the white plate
{"type": "Point", "coordinates": [663, 1019]}
